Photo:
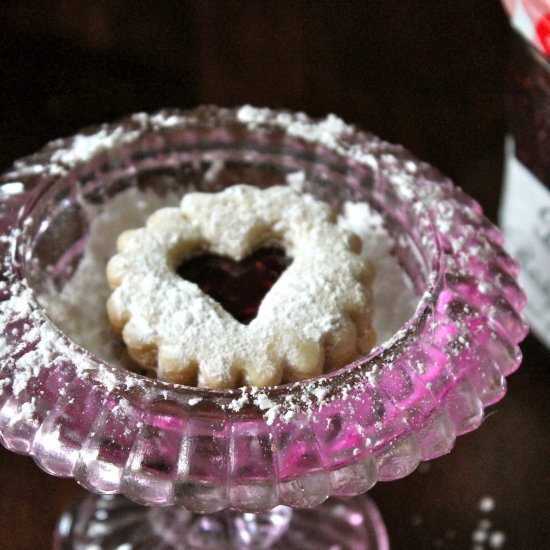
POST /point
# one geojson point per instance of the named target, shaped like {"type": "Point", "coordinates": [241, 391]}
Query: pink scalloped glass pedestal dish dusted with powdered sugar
{"type": "Point", "coordinates": [177, 449]}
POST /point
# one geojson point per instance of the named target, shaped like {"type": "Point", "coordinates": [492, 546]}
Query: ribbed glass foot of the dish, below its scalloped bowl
{"type": "Point", "coordinates": [114, 522]}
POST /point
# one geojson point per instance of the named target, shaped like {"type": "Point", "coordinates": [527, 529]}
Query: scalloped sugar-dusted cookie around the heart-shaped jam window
{"type": "Point", "coordinates": [315, 318]}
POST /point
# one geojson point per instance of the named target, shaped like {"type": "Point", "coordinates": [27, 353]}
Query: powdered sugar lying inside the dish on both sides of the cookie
{"type": "Point", "coordinates": [87, 291]}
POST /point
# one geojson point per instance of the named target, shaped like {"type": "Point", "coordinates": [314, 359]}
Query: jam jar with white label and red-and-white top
{"type": "Point", "coordinates": [525, 204]}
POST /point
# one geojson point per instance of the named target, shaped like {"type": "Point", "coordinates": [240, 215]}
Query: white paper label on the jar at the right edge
{"type": "Point", "coordinates": [525, 221]}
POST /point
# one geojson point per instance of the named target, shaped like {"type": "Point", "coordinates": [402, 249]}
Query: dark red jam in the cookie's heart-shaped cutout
{"type": "Point", "coordinates": [239, 287]}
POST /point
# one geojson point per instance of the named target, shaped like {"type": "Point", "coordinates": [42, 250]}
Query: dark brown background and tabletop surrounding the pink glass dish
{"type": "Point", "coordinates": [429, 74]}
